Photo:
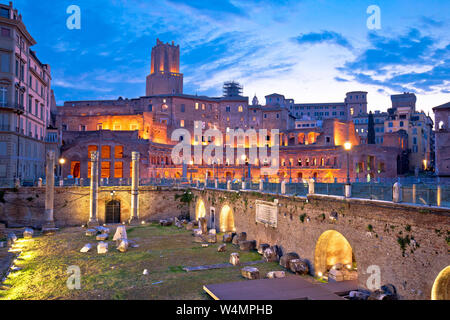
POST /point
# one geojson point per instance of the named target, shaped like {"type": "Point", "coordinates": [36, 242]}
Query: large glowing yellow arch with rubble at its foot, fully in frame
{"type": "Point", "coordinates": [333, 248]}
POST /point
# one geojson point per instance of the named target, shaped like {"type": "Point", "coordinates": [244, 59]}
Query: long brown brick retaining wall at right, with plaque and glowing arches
{"type": "Point", "coordinates": [374, 229]}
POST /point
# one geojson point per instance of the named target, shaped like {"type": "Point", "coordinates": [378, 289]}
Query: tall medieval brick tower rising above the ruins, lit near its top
{"type": "Point", "coordinates": [165, 76]}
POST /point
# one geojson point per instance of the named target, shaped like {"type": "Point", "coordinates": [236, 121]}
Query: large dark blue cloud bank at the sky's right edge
{"type": "Point", "coordinates": [412, 61]}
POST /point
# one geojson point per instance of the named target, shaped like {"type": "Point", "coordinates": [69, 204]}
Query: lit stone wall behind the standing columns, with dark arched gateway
{"type": "Point", "coordinates": [25, 207]}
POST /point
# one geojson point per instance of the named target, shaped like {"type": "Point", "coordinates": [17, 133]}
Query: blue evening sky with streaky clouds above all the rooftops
{"type": "Point", "coordinates": [311, 51]}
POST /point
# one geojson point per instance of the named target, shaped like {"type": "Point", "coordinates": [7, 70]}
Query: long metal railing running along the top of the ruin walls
{"type": "Point", "coordinates": [418, 194]}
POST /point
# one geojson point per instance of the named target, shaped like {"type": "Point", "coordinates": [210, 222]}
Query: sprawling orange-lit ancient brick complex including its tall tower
{"type": "Point", "coordinates": [115, 128]}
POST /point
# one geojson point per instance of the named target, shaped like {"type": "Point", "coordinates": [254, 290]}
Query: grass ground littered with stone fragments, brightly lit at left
{"type": "Point", "coordinates": [163, 251]}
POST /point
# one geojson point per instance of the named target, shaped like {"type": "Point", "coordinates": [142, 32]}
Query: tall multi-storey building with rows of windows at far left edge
{"type": "Point", "coordinates": [25, 101]}
